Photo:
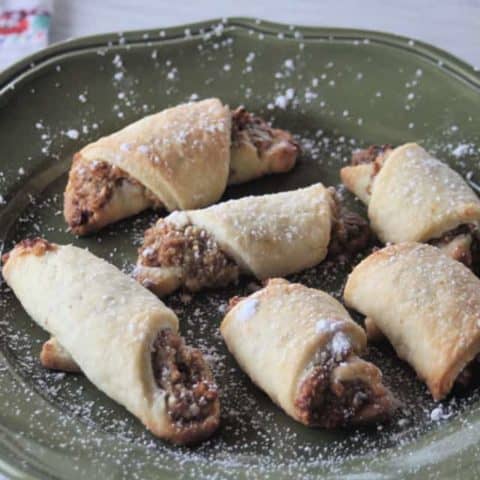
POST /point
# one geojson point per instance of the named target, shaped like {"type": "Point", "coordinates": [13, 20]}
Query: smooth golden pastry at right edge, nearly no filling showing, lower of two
{"type": "Point", "coordinates": [427, 305]}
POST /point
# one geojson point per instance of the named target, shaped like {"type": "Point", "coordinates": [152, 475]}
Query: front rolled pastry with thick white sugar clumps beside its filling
{"type": "Point", "coordinates": [302, 348]}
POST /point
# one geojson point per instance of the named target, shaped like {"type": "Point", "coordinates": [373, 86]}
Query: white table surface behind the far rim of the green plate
{"type": "Point", "coordinates": [453, 25]}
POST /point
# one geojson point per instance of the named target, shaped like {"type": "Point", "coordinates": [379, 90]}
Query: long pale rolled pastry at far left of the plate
{"type": "Point", "coordinates": [123, 337]}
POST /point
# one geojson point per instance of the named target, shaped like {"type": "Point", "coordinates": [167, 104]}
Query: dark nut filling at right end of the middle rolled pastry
{"type": "Point", "coordinates": [350, 232]}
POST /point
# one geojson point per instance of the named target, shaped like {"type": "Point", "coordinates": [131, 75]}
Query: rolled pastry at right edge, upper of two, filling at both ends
{"type": "Point", "coordinates": [413, 197]}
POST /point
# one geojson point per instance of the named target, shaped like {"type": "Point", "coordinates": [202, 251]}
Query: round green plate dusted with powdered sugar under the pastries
{"type": "Point", "coordinates": [337, 90]}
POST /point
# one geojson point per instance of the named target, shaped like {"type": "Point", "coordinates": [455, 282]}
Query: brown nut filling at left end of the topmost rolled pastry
{"type": "Point", "coordinates": [94, 185]}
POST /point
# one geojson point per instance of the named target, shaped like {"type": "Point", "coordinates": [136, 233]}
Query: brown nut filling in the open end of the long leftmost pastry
{"type": "Point", "coordinates": [182, 373]}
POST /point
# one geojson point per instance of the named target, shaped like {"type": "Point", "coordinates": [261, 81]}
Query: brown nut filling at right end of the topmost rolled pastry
{"type": "Point", "coordinates": [248, 128]}
